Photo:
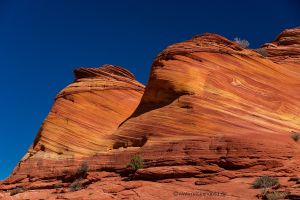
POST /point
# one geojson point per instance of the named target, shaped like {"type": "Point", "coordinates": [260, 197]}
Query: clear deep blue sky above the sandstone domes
{"type": "Point", "coordinates": [42, 41]}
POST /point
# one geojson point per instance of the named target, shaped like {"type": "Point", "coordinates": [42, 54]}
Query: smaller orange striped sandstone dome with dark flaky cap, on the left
{"type": "Point", "coordinates": [87, 111]}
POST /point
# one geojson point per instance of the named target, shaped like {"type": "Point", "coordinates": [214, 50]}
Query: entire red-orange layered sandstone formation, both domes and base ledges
{"type": "Point", "coordinates": [212, 118]}
